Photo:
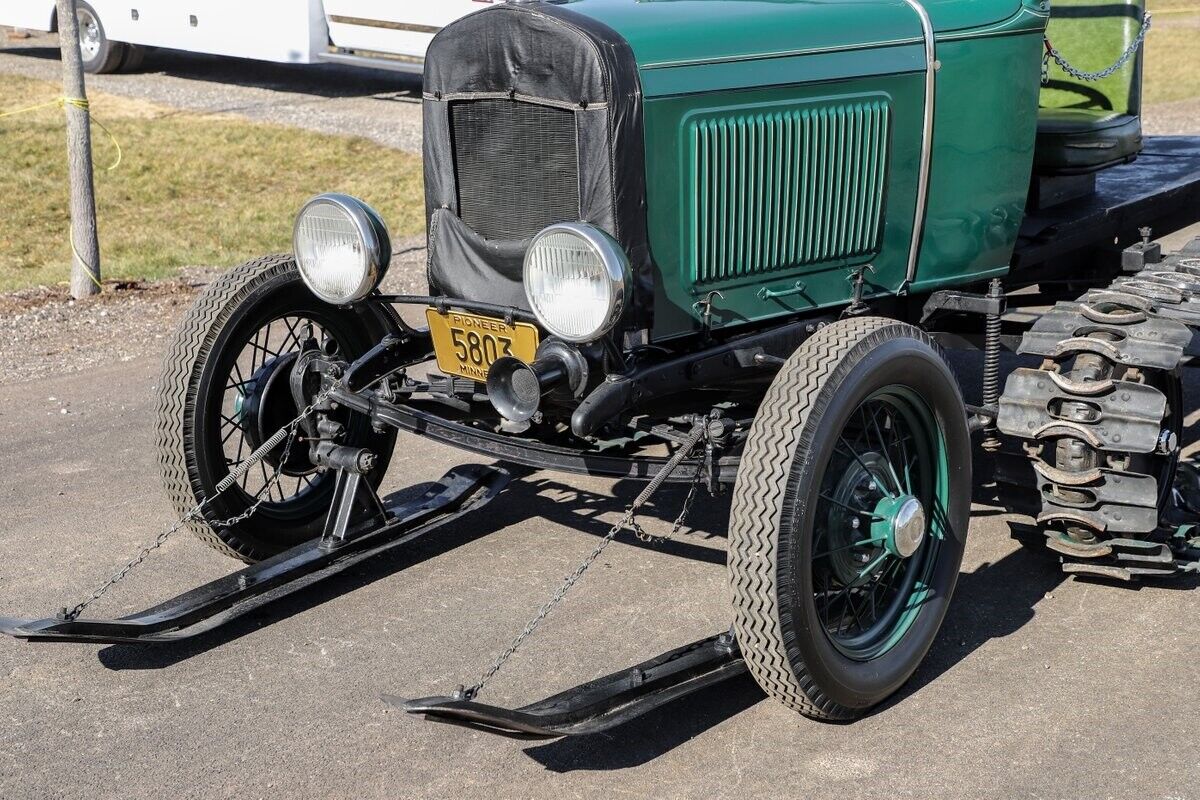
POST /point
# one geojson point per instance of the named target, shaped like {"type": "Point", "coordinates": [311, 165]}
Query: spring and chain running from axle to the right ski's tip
{"type": "Point", "coordinates": [628, 522]}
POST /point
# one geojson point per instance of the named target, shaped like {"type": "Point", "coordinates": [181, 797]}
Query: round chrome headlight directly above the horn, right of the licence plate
{"type": "Point", "coordinates": [578, 281]}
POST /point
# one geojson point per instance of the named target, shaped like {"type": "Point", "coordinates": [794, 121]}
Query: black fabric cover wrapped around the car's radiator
{"type": "Point", "coordinates": [533, 116]}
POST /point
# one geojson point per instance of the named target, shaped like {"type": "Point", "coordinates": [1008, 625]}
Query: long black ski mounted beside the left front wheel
{"type": "Point", "coordinates": [461, 491]}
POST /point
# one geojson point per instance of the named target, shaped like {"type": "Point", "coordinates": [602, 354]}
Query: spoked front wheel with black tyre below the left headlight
{"type": "Point", "coordinates": [225, 390]}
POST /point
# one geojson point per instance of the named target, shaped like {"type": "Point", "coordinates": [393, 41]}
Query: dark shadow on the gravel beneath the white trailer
{"type": "Point", "coordinates": [326, 81]}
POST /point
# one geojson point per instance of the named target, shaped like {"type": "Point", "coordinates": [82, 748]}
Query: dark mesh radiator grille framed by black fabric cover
{"type": "Point", "coordinates": [517, 166]}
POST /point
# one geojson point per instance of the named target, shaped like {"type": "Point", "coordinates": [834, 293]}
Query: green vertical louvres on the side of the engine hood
{"type": "Point", "coordinates": [787, 188]}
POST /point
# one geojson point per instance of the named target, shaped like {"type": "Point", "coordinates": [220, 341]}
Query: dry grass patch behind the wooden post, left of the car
{"type": "Point", "coordinates": [191, 190]}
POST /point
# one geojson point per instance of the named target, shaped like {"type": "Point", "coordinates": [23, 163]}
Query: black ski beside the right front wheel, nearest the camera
{"type": "Point", "coordinates": [599, 705]}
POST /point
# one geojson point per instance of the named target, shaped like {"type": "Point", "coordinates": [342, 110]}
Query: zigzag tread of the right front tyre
{"type": "Point", "coordinates": [759, 497]}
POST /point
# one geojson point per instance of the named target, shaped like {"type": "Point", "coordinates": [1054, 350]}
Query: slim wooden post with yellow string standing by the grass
{"type": "Point", "coordinates": [86, 244]}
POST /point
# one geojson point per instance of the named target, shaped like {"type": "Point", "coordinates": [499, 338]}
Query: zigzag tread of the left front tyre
{"type": "Point", "coordinates": [179, 384]}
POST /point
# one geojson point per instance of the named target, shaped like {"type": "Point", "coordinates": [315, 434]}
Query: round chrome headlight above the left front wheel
{"type": "Point", "coordinates": [343, 248]}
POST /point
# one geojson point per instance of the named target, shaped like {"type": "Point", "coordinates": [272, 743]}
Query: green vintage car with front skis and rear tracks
{"type": "Point", "coordinates": [728, 244]}
